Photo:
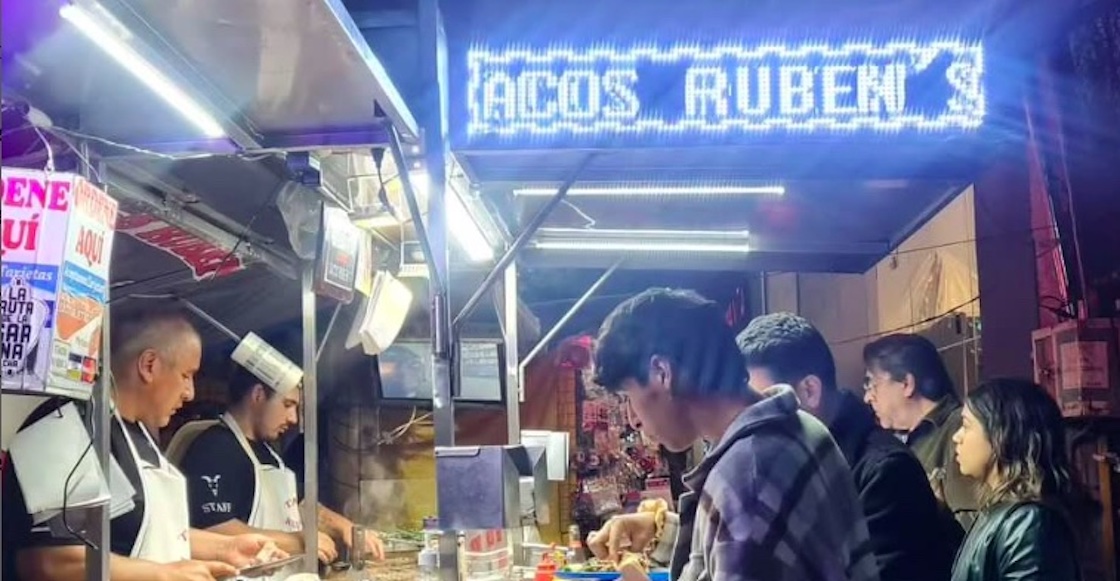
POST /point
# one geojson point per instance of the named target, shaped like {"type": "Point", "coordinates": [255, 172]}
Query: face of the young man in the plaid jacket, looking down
{"type": "Point", "coordinates": [654, 411]}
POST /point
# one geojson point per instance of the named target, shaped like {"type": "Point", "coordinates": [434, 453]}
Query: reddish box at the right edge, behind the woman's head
{"type": "Point", "coordinates": [1078, 363]}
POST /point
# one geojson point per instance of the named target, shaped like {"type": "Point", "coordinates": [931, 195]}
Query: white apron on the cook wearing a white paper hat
{"type": "Point", "coordinates": [276, 498]}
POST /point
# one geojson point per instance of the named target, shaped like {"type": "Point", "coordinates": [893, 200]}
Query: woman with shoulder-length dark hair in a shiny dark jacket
{"type": "Point", "coordinates": [1013, 442]}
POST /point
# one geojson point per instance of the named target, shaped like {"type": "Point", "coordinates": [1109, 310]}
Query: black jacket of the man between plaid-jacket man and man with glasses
{"type": "Point", "coordinates": [909, 533]}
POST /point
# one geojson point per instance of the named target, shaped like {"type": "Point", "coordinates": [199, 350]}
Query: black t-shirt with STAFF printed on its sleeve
{"type": "Point", "coordinates": [221, 481]}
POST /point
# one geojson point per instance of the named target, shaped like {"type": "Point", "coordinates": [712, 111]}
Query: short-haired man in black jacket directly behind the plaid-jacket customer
{"type": "Point", "coordinates": [903, 517]}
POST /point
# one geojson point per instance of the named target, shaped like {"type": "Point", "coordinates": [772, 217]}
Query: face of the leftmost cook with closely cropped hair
{"type": "Point", "coordinates": [169, 379]}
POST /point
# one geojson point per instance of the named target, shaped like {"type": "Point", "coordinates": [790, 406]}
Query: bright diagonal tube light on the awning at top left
{"type": "Point", "coordinates": [116, 48]}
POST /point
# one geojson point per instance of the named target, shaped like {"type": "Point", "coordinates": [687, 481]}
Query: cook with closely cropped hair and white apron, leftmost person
{"type": "Point", "coordinates": [155, 357]}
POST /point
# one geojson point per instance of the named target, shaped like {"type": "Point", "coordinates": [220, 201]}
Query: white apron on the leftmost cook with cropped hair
{"type": "Point", "coordinates": [165, 527]}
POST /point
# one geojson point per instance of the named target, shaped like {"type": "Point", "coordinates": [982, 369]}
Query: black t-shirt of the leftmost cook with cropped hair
{"type": "Point", "coordinates": [18, 531]}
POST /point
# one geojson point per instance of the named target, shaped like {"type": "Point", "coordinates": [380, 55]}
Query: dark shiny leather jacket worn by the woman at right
{"type": "Point", "coordinates": [1025, 541]}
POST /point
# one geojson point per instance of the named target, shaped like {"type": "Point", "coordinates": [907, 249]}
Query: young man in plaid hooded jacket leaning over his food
{"type": "Point", "coordinates": [773, 499]}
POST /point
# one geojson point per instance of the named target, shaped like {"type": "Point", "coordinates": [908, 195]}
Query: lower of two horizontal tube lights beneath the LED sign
{"type": "Point", "coordinates": [733, 242]}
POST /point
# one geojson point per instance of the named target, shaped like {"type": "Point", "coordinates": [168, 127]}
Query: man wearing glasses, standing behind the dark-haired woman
{"type": "Point", "coordinates": [911, 391]}
